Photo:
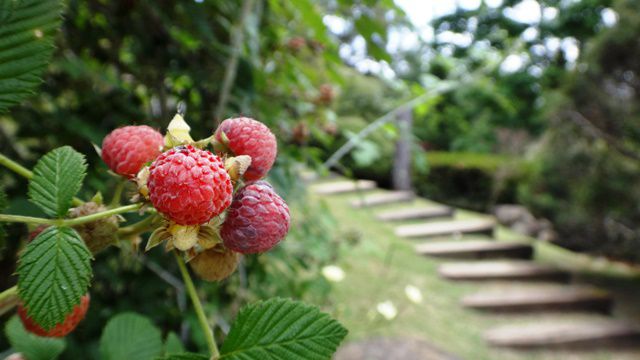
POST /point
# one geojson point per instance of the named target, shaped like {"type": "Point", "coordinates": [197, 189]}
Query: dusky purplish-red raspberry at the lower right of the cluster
{"type": "Point", "coordinates": [256, 221]}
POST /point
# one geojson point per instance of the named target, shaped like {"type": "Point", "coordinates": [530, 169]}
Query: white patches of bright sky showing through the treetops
{"type": "Point", "coordinates": [421, 12]}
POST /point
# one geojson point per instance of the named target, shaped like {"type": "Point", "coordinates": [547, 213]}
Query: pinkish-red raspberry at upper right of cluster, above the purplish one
{"type": "Point", "coordinates": [250, 137]}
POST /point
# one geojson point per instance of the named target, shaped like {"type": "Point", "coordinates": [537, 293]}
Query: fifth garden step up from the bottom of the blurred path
{"type": "Point", "coordinates": [443, 228]}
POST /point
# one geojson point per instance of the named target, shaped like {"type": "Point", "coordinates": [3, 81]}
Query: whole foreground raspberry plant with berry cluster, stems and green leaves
{"type": "Point", "coordinates": [205, 201]}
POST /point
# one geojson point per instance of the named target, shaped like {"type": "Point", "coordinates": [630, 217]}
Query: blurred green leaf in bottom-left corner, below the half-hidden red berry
{"type": "Point", "coordinates": [31, 346]}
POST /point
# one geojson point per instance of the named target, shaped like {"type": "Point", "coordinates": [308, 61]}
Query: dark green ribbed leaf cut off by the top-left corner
{"type": "Point", "coordinates": [27, 30]}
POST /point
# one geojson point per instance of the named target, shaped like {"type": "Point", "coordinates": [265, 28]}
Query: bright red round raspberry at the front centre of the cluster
{"type": "Point", "coordinates": [189, 186]}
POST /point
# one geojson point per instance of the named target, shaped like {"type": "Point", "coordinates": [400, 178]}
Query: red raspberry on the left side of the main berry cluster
{"type": "Point", "coordinates": [127, 149]}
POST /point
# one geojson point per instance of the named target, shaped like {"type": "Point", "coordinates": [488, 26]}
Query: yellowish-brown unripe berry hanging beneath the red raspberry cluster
{"type": "Point", "coordinates": [215, 264]}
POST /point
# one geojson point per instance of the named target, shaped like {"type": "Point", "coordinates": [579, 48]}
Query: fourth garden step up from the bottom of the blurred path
{"type": "Point", "coordinates": [476, 249]}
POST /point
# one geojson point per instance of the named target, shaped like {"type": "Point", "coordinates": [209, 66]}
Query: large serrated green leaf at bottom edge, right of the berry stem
{"type": "Point", "coordinates": [282, 329]}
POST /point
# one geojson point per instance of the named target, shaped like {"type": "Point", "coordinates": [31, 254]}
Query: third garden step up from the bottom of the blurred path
{"type": "Point", "coordinates": [501, 270]}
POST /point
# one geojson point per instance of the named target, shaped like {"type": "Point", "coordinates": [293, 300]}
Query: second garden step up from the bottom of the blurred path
{"type": "Point", "coordinates": [537, 299]}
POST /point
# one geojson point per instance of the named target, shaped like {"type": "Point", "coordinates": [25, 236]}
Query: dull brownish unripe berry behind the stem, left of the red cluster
{"type": "Point", "coordinates": [99, 234]}
